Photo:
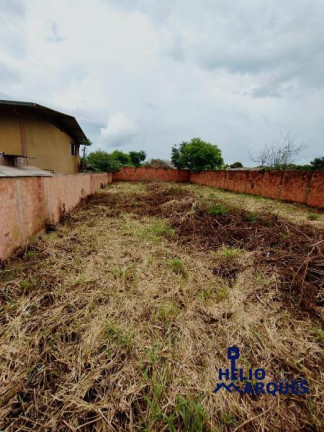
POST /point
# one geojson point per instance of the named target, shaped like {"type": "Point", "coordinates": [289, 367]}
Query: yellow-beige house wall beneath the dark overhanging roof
{"type": "Point", "coordinates": [50, 146]}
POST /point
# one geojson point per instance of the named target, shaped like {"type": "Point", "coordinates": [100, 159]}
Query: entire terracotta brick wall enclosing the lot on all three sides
{"type": "Point", "coordinates": [27, 203]}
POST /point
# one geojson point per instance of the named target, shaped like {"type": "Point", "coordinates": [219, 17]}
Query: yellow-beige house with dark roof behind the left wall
{"type": "Point", "coordinates": [49, 139]}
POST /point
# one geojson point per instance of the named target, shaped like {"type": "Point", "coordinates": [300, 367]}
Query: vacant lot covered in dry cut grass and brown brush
{"type": "Point", "coordinates": [119, 318]}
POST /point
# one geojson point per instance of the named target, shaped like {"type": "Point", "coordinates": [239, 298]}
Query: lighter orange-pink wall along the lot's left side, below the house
{"type": "Point", "coordinates": [28, 203]}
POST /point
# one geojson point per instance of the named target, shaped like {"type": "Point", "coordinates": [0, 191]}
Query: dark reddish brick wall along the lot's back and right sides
{"type": "Point", "coordinates": [304, 187]}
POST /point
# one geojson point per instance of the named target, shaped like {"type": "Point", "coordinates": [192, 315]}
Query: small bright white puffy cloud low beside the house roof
{"type": "Point", "coordinates": [118, 132]}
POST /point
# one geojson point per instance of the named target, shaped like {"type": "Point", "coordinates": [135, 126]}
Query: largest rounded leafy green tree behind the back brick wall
{"type": "Point", "coordinates": [197, 155]}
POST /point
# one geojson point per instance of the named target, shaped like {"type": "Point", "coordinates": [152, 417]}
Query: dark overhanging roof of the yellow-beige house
{"type": "Point", "coordinates": [62, 121]}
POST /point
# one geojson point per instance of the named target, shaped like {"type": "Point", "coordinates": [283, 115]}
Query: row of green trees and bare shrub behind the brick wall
{"type": "Point", "coordinates": [197, 155]}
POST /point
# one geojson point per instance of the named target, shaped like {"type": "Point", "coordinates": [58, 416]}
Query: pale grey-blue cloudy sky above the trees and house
{"type": "Point", "coordinates": [147, 74]}
